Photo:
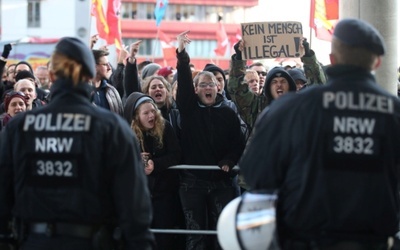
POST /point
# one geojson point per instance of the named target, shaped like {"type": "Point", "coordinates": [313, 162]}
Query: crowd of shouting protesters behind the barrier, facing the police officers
{"type": "Point", "coordinates": [179, 116]}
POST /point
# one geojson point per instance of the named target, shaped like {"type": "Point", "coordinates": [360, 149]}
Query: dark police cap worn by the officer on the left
{"type": "Point", "coordinates": [77, 51]}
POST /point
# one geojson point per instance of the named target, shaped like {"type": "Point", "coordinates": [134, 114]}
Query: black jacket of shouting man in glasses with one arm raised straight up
{"type": "Point", "coordinates": [210, 135]}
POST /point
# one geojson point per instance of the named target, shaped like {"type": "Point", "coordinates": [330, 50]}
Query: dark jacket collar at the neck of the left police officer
{"type": "Point", "coordinates": [66, 86]}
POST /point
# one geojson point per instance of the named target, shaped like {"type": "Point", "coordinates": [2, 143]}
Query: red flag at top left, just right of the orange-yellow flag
{"type": "Point", "coordinates": [114, 23]}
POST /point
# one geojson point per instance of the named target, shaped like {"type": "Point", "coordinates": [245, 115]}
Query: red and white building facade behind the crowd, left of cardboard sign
{"type": "Point", "coordinates": [201, 17]}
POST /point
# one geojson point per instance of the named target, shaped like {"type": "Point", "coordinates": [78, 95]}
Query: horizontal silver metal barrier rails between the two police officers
{"type": "Point", "coordinates": [187, 231]}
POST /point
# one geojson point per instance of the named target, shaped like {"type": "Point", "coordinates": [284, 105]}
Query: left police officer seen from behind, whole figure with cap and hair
{"type": "Point", "coordinates": [70, 173]}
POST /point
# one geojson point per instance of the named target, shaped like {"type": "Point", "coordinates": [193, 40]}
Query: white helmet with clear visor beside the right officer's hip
{"type": "Point", "coordinates": [247, 222]}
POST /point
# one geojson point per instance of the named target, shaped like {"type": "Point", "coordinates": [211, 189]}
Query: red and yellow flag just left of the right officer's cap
{"type": "Point", "coordinates": [323, 17]}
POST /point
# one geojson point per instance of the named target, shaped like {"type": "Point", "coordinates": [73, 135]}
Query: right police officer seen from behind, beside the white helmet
{"type": "Point", "coordinates": [332, 152]}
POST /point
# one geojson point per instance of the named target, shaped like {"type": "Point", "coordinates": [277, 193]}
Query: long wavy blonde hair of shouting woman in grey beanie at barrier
{"type": "Point", "coordinates": [156, 132]}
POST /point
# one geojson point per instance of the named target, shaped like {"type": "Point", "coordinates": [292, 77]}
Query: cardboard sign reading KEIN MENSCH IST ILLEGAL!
{"type": "Point", "coordinates": [271, 39]}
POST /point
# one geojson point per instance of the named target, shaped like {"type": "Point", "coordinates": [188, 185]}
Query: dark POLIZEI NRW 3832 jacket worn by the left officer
{"type": "Point", "coordinates": [73, 162]}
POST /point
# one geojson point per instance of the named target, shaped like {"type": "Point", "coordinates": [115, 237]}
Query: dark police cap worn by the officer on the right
{"type": "Point", "coordinates": [355, 32]}
